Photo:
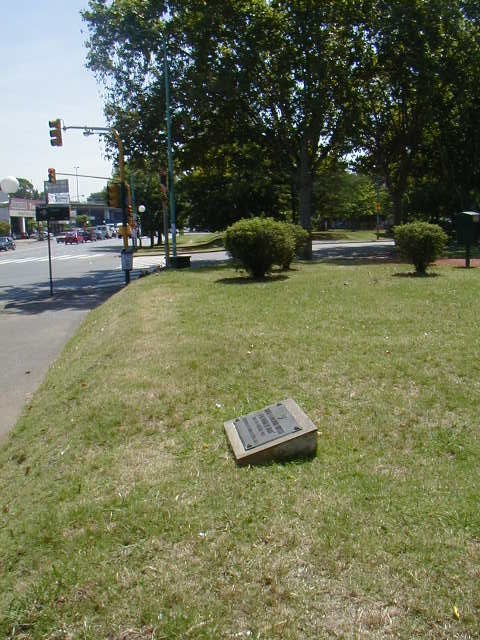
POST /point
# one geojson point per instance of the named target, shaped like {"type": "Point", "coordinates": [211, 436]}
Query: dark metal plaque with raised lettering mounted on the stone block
{"type": "Point", "coordinates": [265, 426]}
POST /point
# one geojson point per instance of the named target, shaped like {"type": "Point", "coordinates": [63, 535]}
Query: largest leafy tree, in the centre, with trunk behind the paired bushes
{"type": "Point", "coordinates": [280, 75]}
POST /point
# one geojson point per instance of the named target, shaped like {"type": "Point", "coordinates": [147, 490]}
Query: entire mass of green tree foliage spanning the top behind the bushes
{"type": "Point", "coordinates": [265, 94]}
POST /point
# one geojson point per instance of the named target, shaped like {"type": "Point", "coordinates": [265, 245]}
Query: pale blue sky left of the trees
{"type": "Point", "coordinates": [43, 77]}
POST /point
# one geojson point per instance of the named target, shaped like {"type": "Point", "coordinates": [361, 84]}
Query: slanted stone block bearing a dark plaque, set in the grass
{"type": "Point", "coordinates": [281, 431]}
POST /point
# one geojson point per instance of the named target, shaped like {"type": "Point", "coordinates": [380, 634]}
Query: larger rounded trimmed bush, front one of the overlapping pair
{"type": "Point", "coordinates": [259, 243]}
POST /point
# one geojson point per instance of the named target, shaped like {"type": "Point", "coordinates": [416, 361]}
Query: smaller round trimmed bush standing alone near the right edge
{"type": "Point", "coordinates": [420, 243]}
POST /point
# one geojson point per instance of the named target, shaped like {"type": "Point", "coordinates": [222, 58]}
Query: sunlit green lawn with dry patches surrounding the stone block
{"type": "Point", "coordinates": [124, 517]}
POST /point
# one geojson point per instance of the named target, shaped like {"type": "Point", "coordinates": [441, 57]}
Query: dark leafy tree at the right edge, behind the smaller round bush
{"type": "Point", "coordinates": [419, 102]}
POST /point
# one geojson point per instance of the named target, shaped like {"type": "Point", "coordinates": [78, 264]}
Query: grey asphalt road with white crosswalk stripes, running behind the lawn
{"type": "Point", "coordinates": [34, 326]}
